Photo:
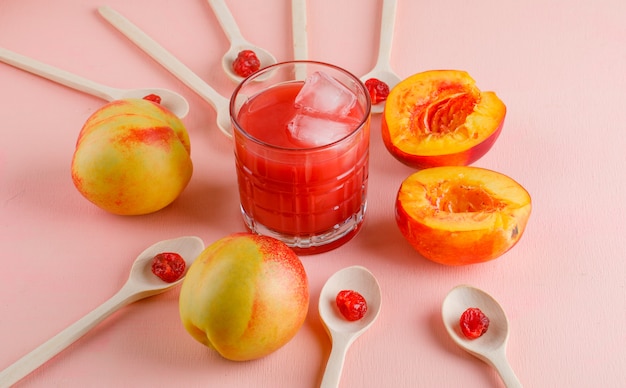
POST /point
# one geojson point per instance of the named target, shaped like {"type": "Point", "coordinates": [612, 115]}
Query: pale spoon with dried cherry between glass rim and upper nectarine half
{"type": "Point", "coordinates": [382, 69]}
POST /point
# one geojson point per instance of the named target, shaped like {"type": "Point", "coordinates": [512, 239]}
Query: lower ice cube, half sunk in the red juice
{"type": "Point", "coordinates": [314, 131]}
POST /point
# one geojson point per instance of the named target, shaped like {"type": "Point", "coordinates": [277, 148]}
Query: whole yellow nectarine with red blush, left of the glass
{"type": "Point", "coordinates": [132, 157]}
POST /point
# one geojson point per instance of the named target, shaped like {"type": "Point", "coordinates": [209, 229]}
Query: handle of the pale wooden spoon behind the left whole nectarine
{"type": "Point", "coordinates": [60, 76]}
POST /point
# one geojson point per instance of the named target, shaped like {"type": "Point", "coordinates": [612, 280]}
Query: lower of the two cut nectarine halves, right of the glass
{"type": "Point", "coordinates": [461, 215]}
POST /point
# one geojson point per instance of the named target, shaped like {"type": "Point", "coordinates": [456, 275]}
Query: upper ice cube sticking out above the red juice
{"type": "Point", "coordinates": [322, 93]}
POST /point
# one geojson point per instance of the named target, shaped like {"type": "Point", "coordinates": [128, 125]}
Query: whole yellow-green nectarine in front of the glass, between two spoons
{"type": "Point", "coordinates": [245, 296]}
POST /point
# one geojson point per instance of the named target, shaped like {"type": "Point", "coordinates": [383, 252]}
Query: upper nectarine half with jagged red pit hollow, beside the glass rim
{"type": "Point", "coordinates": [440, 118]}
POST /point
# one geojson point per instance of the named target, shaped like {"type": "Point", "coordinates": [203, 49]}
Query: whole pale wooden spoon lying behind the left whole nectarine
{"type": "Point", "coordinates": [173, 101]}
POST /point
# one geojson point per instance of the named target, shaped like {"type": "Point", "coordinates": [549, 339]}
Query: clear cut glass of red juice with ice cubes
{"type": "Point", "coordinates": [302, 165]}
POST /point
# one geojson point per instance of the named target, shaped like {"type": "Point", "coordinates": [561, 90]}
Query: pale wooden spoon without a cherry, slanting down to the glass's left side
{"type": "Point", "coordinates": [173, 65]}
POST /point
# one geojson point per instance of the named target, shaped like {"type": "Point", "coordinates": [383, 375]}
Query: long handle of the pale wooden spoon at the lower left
{"type": "Point", "coordinates": [56, 344]}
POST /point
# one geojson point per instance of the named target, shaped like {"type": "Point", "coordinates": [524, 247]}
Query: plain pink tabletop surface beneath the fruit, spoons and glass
{"type": "Point", "coordinates": [559, 67]}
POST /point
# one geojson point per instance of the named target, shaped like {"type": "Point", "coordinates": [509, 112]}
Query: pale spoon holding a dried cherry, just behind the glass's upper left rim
{"type": "Point", "coordinates": [237, 41]}
